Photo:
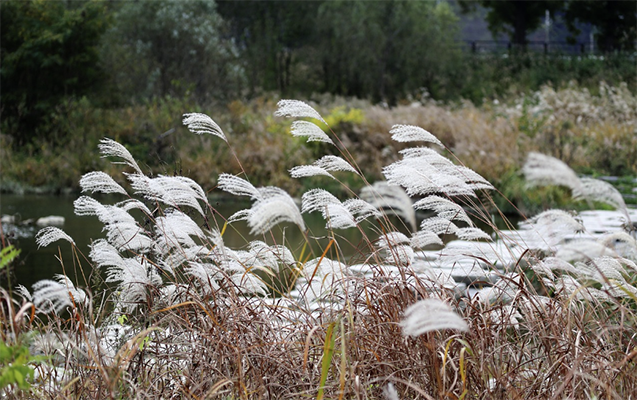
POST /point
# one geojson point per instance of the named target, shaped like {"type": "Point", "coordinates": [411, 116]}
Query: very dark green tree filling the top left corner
{"type": "Point", "coordinates": [48, 51]}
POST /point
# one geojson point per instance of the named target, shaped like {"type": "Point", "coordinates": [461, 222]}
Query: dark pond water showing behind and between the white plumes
{"type": "Point", "coordinates": [42, 263]}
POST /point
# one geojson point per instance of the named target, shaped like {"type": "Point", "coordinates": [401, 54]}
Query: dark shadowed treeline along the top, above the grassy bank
{"type": "Point", "coordinates": [117, 53]}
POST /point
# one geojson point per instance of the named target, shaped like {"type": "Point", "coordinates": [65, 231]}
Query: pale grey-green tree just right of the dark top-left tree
{"type": "Point", "coordinates": [171, 47]}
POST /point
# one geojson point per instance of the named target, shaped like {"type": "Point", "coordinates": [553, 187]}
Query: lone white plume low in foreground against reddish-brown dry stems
{"type": "Point", "coordinates": [431, 315]}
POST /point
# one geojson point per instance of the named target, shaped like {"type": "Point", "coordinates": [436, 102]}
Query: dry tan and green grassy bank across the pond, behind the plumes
{"type": "Point", "coordinates": [593, 131]}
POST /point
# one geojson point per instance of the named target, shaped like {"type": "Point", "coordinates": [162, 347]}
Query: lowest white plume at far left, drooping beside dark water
{"type": "Point", "coordinates": [56, 295]}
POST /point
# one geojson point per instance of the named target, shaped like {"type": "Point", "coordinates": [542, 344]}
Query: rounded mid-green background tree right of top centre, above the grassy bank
{"type": "Point", "coordinates": [385, 48]}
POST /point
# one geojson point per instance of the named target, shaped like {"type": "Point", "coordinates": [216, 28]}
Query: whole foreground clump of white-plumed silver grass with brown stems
{"type": "Point", "coordinates": [164, 308]}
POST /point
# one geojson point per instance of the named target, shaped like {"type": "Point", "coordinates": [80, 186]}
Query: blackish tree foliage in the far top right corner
{"type": "Point", "coordinates": [615, 20]}
